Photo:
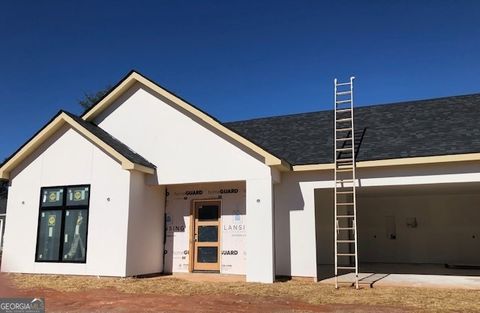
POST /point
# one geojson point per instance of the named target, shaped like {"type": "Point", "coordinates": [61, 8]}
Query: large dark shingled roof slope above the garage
{"type": "Point", "coordinates": [431, 127]}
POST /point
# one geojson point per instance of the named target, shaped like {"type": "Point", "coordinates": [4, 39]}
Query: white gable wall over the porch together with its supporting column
{"type": "Point", "coordinates": [187, 151]}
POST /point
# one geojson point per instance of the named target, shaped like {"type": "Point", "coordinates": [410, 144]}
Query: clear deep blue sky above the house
{"type": "Point", "coordinates": [233, 59]}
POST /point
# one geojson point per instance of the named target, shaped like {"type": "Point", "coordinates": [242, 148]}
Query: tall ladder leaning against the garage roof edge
{"type": "Point", "coordinates": [345, 220]}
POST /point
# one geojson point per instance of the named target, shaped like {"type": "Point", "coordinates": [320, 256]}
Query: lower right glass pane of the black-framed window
{"type": "Point", "coordinates": [75, 235]}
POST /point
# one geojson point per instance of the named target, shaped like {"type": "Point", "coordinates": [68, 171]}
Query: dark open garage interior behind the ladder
{"type": "Point", "coordinates": [412, 229]}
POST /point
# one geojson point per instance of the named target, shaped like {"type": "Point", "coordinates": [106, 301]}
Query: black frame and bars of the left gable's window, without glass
{"type": "Point", "coordinates": [63, 209]}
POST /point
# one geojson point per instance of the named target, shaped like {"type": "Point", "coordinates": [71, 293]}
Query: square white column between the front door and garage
{"type": "Point", "coordinates": [260, 260]}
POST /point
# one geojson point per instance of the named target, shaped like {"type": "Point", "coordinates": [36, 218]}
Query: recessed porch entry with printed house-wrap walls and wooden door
{"type": "Point", "coordinates": [205, 227]}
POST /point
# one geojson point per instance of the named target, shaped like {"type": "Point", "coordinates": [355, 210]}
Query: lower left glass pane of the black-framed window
{"type": "Point", "coordinates": [49, 235]}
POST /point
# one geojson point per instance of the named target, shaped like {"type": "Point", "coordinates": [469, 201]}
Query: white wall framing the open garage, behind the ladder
{"type": "Point", "coordinates": [295, 229]}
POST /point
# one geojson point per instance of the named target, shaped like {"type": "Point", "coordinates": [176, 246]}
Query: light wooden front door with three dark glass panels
{"type": "Point", "coordinates": [206, 235]}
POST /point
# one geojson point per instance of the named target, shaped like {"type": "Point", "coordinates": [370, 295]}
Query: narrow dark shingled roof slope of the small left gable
{"type": "Point", "coordinates": [112, 142]}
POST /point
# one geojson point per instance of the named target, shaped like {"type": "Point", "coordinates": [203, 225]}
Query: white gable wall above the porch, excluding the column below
{"type": "Point", "coordinates": [183, 150]}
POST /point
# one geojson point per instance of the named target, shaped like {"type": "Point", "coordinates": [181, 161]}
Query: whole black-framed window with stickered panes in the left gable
{"type": "Point", "coordinates": [62, 224]}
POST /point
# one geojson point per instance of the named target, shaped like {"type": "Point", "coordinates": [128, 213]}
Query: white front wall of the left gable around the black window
{"type": "Point", "coordinates": [67, 158]}
